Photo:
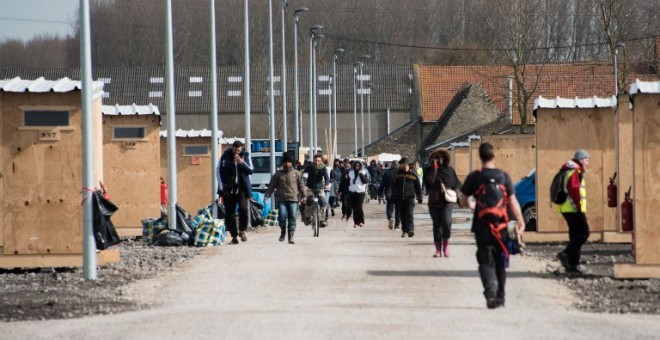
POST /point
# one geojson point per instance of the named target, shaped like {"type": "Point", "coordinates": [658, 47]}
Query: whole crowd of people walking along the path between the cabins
{"type": "Point", "coordinates": [494, 202]}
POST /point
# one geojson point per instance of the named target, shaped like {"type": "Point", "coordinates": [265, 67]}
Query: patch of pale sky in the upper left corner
{"type": "Point", "coordinates": [24, 19]}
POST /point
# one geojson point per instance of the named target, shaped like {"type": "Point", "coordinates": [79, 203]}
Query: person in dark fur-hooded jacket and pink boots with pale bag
{"type": "Point", "coordinates": [438, 175]}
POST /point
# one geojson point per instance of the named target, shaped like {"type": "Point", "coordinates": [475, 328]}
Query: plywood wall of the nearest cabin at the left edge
{"type": "Point", "coordinates": [42, 180]}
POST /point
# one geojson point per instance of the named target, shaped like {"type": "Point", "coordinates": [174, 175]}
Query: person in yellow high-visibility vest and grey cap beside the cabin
{"type": "Point", "coordinates": [574, 210]}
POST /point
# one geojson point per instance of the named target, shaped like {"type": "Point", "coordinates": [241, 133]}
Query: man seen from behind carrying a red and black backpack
{"type": "Point", "coordinates": [495, 197]}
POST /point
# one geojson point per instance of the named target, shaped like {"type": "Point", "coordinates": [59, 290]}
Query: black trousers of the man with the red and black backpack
{"type": "Point", "coordinates": [491, 264]}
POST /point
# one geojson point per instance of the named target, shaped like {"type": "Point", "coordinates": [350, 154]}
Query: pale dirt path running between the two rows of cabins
{"type": "Point", "coordinates": [348, 283]}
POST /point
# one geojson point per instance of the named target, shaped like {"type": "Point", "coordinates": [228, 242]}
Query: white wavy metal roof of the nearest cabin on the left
{"type": "Point", "coordinates": [41, 85]}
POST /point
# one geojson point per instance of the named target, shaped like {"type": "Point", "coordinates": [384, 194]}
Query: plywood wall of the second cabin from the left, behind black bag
{"type": "Point", "coordinates": [132, 170]}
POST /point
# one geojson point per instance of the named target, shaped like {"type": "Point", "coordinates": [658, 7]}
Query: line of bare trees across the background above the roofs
{"type": "Point", "coordinates": [127, 33]}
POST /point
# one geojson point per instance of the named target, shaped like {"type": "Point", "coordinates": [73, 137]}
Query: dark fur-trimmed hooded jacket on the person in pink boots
{"type": "Point", "coordinates": [433, 177]}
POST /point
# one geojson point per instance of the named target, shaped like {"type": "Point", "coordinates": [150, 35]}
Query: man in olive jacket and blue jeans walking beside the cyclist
{"type": "Point", "coordinates": [289, 189]}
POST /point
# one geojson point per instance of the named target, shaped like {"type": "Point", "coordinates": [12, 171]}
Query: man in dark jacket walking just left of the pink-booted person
{"type": "Point", "coordinates": [406, 188]}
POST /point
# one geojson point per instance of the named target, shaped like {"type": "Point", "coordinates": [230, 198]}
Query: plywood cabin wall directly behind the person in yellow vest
{"type": "Point", "coordinates": [559, 133]}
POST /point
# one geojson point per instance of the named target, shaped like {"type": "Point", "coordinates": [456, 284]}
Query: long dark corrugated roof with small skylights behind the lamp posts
{"type": "Point", "coordinates": [147, 85]}
